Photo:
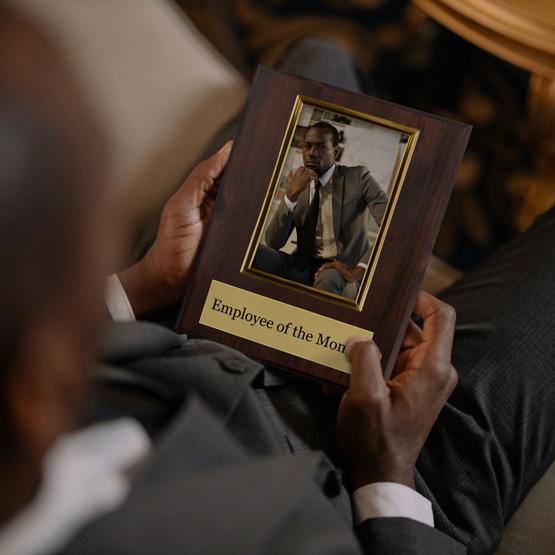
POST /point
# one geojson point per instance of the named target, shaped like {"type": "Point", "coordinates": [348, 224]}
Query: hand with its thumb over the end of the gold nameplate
{"type": "Point", "coordinates": [383, 424]}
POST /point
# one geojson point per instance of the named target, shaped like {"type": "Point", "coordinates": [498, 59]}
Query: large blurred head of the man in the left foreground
{"type": "Point", "coordinates": [54, 257]}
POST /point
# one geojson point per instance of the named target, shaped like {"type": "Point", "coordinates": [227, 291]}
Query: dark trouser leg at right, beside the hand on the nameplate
{"type": "Point", "coordinates": [496, 436]}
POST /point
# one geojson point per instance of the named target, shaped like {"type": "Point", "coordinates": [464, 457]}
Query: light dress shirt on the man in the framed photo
{"type": "Point", "coordinates": [325, 242]}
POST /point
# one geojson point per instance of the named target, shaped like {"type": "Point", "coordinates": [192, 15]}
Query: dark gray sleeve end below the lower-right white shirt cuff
{"type": "Point", "coordinates": [404, 536]}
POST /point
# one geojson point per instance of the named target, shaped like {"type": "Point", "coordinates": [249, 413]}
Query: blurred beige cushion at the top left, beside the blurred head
{"type": "Point", "coordinates": [160, 90]}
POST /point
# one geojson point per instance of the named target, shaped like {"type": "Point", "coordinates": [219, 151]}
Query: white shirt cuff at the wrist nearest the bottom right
{"type": "Point", "coordinates": [389, 499]}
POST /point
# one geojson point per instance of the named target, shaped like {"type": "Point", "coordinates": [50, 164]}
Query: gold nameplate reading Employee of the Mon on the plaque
{"type": "Point", "coordinates": [279, 325]}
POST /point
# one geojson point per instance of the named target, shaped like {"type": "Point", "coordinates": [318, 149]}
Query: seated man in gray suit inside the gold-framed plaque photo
{"type": "Point", "coordinates": [326, 203]}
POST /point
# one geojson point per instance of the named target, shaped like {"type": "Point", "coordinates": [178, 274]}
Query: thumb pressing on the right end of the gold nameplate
{"type": "Point", "coordinates": [366, 368]}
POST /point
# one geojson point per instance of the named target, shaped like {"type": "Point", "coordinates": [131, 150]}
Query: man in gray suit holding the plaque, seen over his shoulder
{"type": "Point", "coordinates": [219, 475]}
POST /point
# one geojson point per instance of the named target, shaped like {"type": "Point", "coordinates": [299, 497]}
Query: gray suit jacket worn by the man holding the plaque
{"type": "Point", "coordinates": [217, 480]}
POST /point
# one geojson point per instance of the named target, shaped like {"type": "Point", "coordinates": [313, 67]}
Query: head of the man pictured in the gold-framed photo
{"type": "Point", "coordinates": [320, 147]}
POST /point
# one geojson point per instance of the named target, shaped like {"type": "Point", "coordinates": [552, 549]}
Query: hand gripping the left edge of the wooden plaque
{"type": "Point", "coordinates": [159, 278]}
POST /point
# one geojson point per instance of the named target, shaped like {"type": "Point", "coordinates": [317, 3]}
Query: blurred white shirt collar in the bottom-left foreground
{"type": "Point", "coordinates": [83, 477]}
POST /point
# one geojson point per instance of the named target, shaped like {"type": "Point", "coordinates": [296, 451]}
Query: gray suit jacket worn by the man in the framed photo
{"type": "Point", "coordinates": [354, 190]}
